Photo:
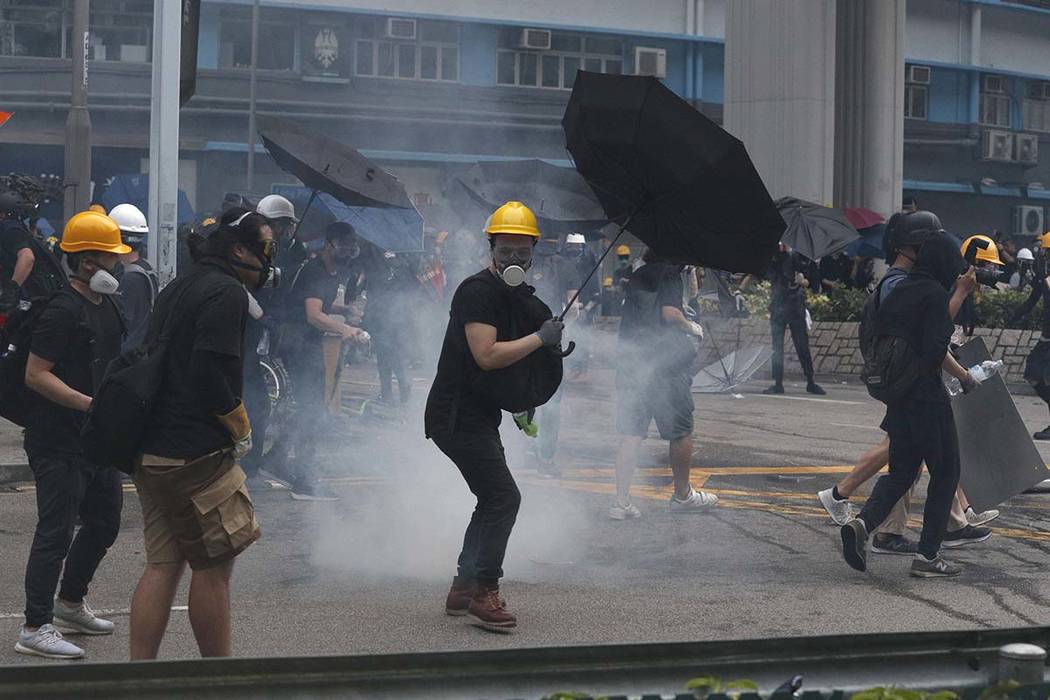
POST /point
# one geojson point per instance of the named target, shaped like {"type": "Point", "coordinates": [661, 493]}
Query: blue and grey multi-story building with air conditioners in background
{"type": "Point", "coordinates": [428, 87]}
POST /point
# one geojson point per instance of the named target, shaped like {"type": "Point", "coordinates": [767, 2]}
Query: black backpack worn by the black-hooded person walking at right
{"type": "Point", "coordinates": [891, 366]}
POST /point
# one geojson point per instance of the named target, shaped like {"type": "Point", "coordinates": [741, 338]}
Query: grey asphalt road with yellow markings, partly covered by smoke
{"type": "Point", "coordinates": [370, 574]}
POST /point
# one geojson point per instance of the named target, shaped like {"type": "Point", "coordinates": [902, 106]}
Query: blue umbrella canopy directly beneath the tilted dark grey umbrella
{"type": "Point", "coordinates": [396, 230]}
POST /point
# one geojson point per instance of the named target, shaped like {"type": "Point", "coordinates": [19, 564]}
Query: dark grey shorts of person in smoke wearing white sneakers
{"type": "Point", "coordinates": [666, 398]}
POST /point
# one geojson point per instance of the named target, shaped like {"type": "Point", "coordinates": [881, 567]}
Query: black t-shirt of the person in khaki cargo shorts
{"type": "Point", "coordinates": [213, 309]}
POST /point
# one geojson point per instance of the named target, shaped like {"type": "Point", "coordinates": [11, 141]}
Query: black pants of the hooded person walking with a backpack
{"type": "Point", "coordinates": [919, 432]}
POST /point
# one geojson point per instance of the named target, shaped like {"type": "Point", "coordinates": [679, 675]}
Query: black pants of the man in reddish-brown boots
{"type": "Point", "coordinates": [481, 461]}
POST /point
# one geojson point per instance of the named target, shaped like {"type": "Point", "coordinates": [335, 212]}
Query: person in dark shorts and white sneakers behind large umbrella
{"type": "Point", "coordinates": [655, 383]}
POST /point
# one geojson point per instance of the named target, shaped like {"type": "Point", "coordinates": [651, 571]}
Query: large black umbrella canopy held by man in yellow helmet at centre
{"type": "Point", "coordinates": [681, 183]}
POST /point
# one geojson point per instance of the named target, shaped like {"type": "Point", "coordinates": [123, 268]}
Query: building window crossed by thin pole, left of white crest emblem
{"type": "Point", "coordinates": [278, 39]}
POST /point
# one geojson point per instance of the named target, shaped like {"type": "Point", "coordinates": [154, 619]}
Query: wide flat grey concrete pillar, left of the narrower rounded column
{"type": "Point", "coordinates": [781, 63]}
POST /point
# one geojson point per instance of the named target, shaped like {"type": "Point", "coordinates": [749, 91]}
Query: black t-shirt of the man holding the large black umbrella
{"type": "Point", "coordinates": [452, 406]}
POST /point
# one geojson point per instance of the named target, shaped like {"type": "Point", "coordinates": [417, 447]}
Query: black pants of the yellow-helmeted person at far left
{"type": "Point", "coordinates": [69, 489]}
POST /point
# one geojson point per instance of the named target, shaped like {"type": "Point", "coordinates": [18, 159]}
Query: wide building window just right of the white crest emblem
{"type": "Point", "coordinates": [410, 50]}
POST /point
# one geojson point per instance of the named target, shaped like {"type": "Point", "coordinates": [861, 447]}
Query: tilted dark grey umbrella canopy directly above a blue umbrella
{"type": "Point", "coordinates": [327, 165]}
